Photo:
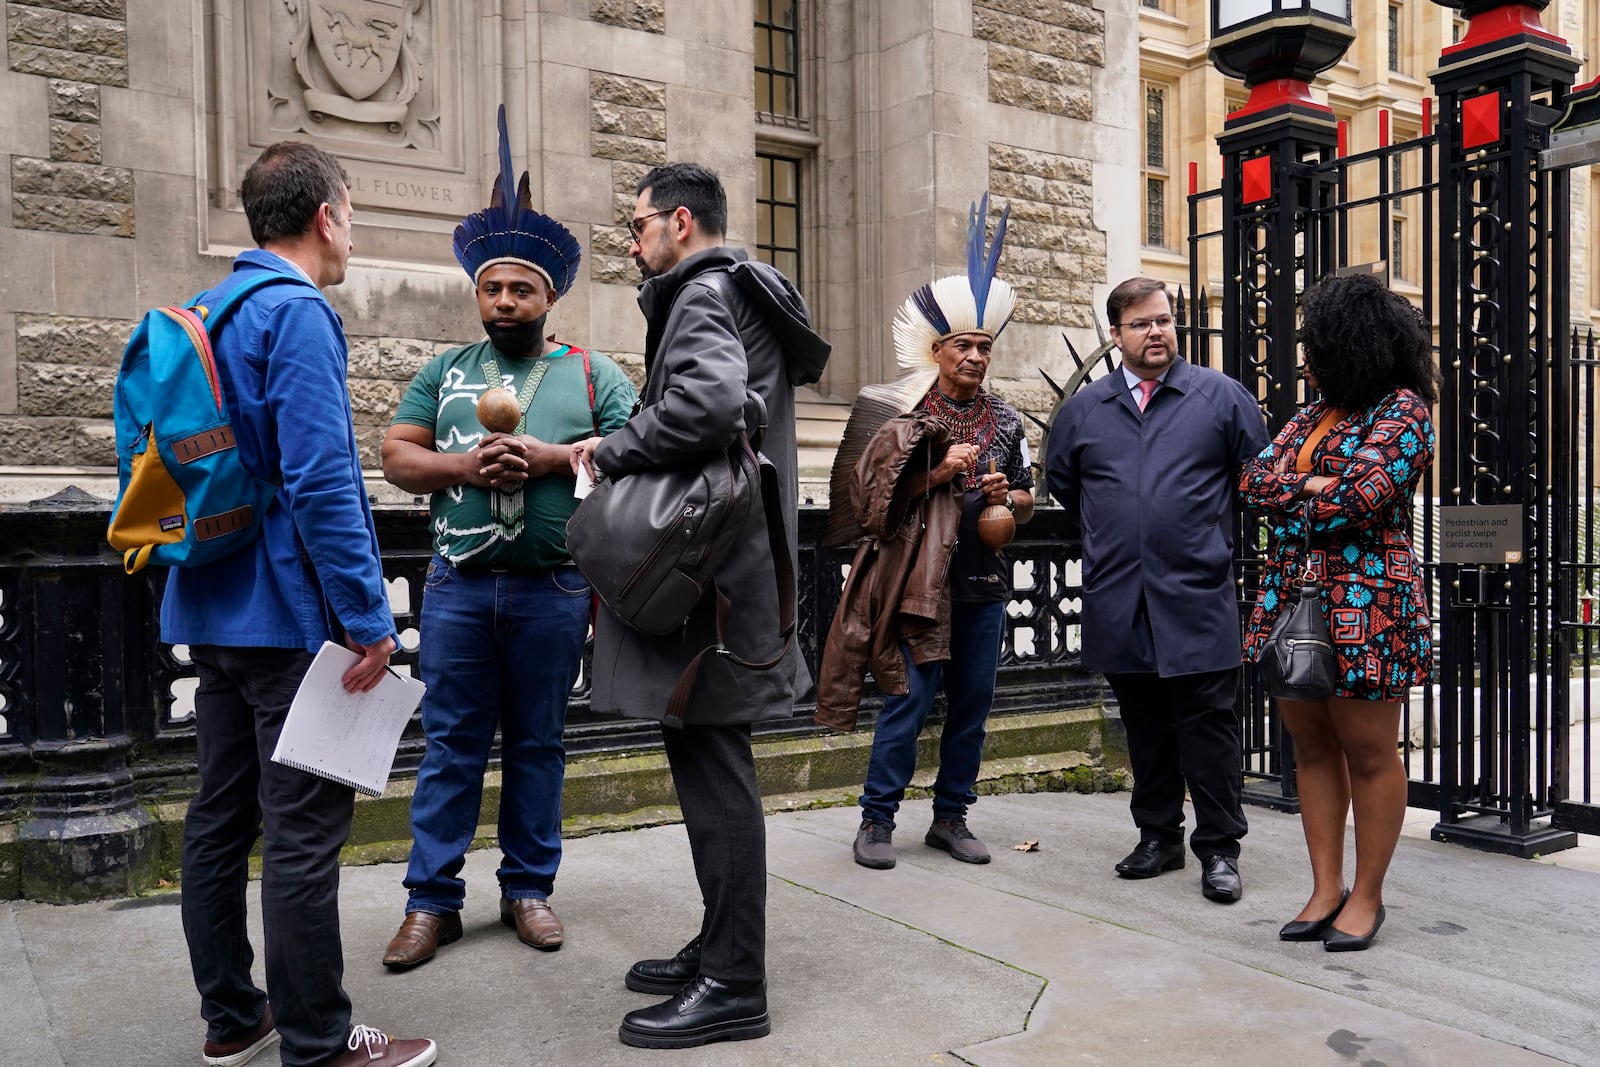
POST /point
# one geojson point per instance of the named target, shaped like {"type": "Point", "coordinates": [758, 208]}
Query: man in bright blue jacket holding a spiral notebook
{"type": "Point", "coordinates": [252, 623]}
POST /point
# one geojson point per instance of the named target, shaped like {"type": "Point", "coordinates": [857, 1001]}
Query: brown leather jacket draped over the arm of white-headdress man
{"type": "Point", "coordinates": [898, 586]}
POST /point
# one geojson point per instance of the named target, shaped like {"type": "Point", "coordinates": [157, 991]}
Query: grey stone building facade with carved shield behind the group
{"type": "Point", "coordinates": [852, 137]}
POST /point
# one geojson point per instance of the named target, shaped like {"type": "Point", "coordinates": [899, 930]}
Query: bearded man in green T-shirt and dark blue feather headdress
{"type": "Point", "coordinates": [505, 612]}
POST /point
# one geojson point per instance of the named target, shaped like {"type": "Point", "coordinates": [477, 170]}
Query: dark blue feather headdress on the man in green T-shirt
{"type": "Point", "coordinates": [511, 231]}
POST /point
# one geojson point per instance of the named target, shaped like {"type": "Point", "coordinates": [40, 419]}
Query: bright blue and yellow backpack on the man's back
{"type": "Point", "coordinates": [183, 497]}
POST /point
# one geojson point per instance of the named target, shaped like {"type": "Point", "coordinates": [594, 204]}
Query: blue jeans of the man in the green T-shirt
{"type": "Point", "coordinates": [498, 649]}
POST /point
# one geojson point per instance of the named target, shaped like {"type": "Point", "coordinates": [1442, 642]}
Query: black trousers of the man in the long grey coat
{"type": "Point", "coordinates": [714, 772]}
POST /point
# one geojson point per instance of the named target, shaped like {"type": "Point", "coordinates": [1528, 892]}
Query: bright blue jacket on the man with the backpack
{"type": "Point", "coordinates": [314, 575]}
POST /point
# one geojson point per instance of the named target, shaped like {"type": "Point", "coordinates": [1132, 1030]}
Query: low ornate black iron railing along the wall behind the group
{"type": "Point", "coordinates": [95, 711]}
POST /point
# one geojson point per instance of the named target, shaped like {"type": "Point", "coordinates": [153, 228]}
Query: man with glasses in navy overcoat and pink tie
{"type": "Point", "coordinates": [1148, 460]}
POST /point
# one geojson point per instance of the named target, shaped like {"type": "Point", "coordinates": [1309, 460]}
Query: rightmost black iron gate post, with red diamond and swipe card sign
{"type": "Point", "coordinates": [1498, 650]}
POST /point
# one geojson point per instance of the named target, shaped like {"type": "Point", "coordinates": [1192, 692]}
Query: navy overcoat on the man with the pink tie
{"type": "Point", "coordinates": [1154, 494]}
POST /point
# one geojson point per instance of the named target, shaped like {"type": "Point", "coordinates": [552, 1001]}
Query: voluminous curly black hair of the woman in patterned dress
{"type": "Point", "coordinates": [1362, 340]}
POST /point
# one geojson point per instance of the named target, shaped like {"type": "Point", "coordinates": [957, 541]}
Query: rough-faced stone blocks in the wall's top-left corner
{"type": "Point", "coordinates": [78, 46]}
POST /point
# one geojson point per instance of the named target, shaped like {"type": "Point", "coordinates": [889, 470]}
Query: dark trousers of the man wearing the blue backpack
{"type": "Point", "coordinates": [305, 820]}
